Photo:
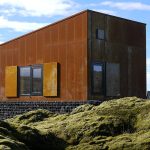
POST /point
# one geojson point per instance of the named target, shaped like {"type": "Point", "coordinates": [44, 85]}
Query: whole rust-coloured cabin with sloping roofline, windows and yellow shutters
{"type": "Point", "coordinates": [87, 56]}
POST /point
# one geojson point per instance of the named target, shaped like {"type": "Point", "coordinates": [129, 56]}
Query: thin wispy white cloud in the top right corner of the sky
{"type": "Point", "coordinates": [126, 5]}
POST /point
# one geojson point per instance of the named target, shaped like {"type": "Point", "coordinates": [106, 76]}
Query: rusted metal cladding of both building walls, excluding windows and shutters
{"type": "Point", "coordinates": [73, 45]}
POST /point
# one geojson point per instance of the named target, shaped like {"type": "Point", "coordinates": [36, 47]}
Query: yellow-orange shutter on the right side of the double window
{"type": "Point", "coordinates": [50, 79]}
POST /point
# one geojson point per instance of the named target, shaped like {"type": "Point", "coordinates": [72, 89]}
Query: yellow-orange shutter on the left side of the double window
{"type": "Point", "coordinates": [11, 81]}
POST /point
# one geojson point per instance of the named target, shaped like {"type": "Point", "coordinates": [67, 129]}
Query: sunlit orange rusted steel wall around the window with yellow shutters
{"type": "Point", "coordinates": [64, 42]}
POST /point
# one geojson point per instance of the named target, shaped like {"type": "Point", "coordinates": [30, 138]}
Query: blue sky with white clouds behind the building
{"type": "Point", "coordinates": [18, 17]}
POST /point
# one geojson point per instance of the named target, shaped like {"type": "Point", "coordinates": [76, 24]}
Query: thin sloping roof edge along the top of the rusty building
{"type": "Point", "coordinates": [67, 19]}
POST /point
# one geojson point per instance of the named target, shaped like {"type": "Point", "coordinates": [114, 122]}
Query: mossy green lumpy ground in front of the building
{"type": "Point", "coordinates": [122, 124]}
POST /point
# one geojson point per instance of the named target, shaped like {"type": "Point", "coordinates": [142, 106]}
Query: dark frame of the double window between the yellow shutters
{"type": "Point", "coordinates": [31, 80]}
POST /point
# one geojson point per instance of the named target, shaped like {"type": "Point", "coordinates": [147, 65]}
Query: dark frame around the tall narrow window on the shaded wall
{"type": "Point", "coordinates": [103, 93]}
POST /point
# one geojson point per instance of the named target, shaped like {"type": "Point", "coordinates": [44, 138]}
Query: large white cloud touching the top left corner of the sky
{"type": "Point", "coordinates": [39, 7]}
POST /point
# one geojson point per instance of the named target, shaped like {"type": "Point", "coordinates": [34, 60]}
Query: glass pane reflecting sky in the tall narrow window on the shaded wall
{"type": "Point", "coordinates": [97, 79]}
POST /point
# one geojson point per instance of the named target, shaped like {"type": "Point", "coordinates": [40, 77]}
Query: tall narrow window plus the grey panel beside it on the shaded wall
{"type": "Point", "coordinates": [106, 79]}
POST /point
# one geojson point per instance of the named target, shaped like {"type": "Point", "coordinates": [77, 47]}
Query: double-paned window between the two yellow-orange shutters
{"type": "Point", "coordinates": [31, 80]}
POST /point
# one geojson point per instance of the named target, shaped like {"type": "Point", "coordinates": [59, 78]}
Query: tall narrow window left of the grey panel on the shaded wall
{"type": "Point", "coordinates": [97, 78]}
